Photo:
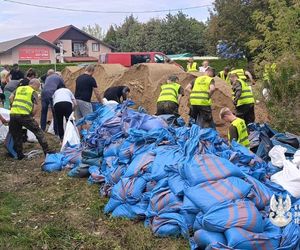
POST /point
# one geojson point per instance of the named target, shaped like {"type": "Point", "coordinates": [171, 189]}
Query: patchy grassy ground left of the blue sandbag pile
{"type": "Point", "coordinates": [52, 211]}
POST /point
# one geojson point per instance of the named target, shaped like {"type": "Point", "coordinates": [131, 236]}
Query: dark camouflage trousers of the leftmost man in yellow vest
{"type": "Point", "coordinates": [15, 128]}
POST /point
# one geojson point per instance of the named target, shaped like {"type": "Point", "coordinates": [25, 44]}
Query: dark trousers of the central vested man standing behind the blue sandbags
{"type": "Point", "coordinates": [202, 115]}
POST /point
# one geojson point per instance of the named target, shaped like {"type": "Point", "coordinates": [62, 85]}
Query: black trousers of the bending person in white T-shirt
{"type": "Point", "coordinates": [61, 110]}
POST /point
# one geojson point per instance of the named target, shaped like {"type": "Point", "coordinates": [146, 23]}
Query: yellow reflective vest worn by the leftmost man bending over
{"type": "Point", "coordinates": [22, 104]}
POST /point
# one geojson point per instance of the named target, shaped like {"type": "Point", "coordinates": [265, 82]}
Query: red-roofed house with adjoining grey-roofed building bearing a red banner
{"type": "Point", "coordinates": [65, 44]}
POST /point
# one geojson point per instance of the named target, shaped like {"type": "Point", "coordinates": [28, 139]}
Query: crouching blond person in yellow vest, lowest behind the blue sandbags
{"type": "Point", "coordinates": [238, 128]}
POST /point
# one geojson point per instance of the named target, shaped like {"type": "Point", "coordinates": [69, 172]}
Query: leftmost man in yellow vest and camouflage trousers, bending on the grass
{"type": "Point", "coordinates": [24, 106]}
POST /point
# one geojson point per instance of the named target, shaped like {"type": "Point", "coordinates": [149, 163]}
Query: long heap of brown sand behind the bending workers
{"type": "Point", "coordinates": [145, 80]}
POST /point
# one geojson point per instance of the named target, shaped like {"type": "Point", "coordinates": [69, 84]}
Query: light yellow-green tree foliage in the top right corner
{"type": "Point", "coordinates": [277, 31]}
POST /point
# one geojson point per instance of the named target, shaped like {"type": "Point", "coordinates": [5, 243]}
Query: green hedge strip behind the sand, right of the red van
{"type": "Point", "coordinates": [219, 64]}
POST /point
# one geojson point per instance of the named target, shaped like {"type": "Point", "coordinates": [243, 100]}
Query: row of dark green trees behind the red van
{"type": "Point", "coordinates": [173, 34]}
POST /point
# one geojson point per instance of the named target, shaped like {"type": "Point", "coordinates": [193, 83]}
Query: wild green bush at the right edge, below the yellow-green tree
{"type": "Point", "coordinates": [284, 103]}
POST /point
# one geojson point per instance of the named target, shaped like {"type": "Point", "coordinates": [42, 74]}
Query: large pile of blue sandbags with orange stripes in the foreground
{"type": "Point", "coordinates": [180, 180]}
